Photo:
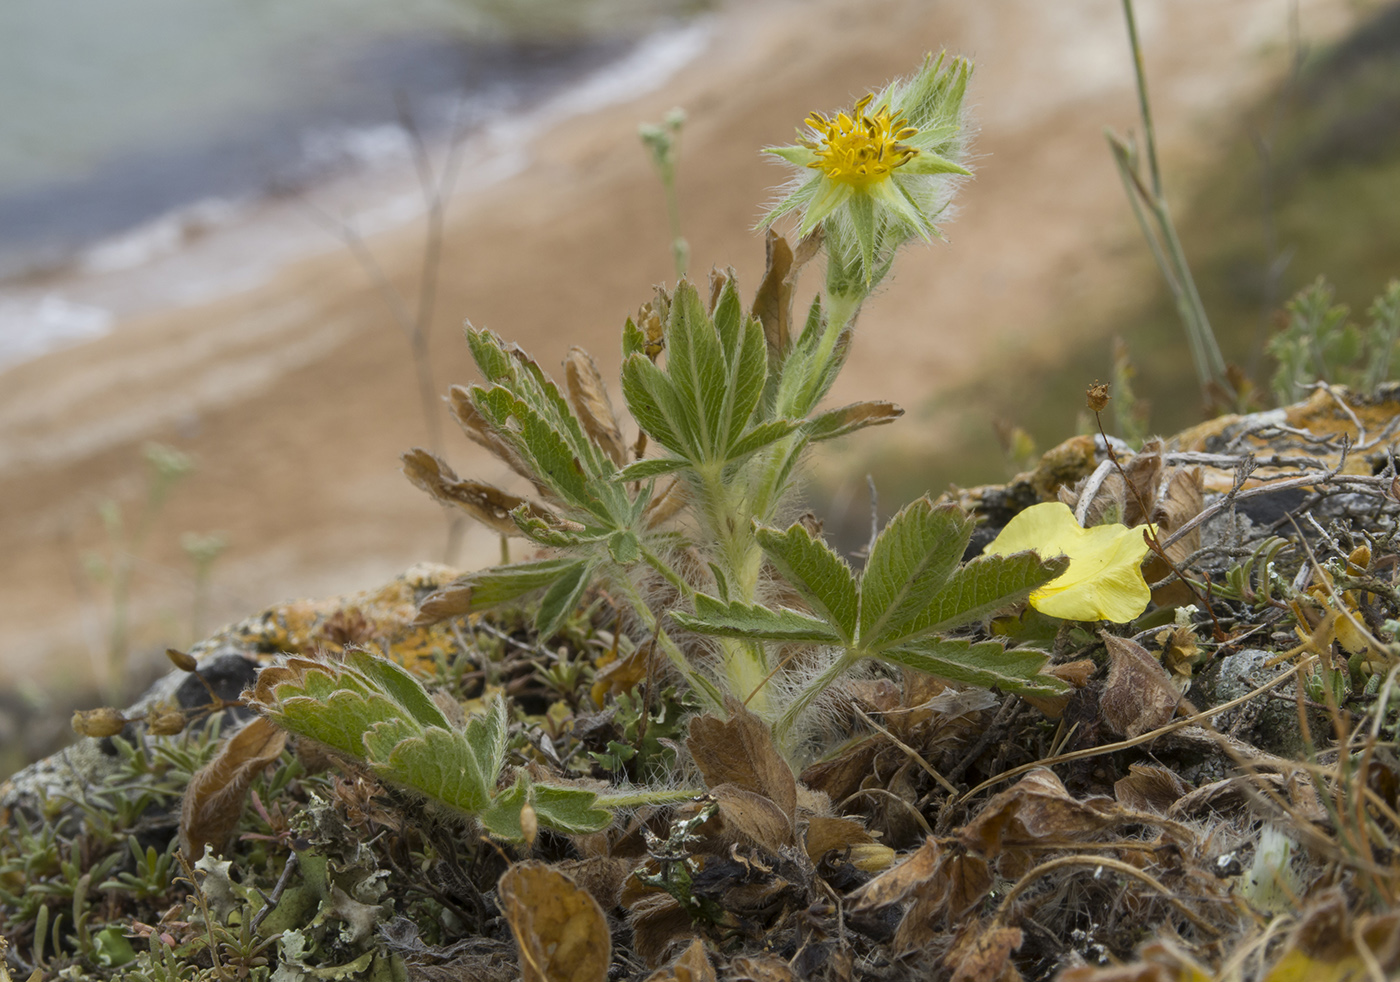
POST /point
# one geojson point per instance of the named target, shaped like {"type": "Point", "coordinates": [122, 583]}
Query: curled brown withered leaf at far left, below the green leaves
{"type": "Point", "coordinates": [215, 796]}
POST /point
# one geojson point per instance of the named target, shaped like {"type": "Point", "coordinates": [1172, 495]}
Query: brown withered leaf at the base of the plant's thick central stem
{"type": "Point", "coordinates": [740, 752]}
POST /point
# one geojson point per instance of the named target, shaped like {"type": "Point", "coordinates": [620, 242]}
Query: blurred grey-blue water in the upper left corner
{"type": "Point", "coordinates": [117, 111]}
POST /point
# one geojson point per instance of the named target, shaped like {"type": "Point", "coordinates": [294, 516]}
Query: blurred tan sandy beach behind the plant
{"type": "Point", "coordinates": [297, 396]}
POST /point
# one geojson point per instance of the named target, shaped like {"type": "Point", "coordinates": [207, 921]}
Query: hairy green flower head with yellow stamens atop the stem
{"type": "Point", "coordinates": [878, 176]}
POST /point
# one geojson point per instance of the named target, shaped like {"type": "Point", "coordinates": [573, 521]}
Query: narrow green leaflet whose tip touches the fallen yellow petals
{"type": "Point", "coordinates": [975, 590]}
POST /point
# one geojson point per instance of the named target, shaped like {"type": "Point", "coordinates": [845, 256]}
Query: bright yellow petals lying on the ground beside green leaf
{"type": "Point", "coordinates": [1105, 576]}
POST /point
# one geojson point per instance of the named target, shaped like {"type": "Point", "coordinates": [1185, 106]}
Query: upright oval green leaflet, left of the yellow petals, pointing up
{"type": "Point", "coordinates": [911, 561]}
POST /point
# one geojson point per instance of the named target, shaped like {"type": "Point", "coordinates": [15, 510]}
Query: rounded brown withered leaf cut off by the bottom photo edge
{"type": "Point", "coordinates": [559, 928]}
